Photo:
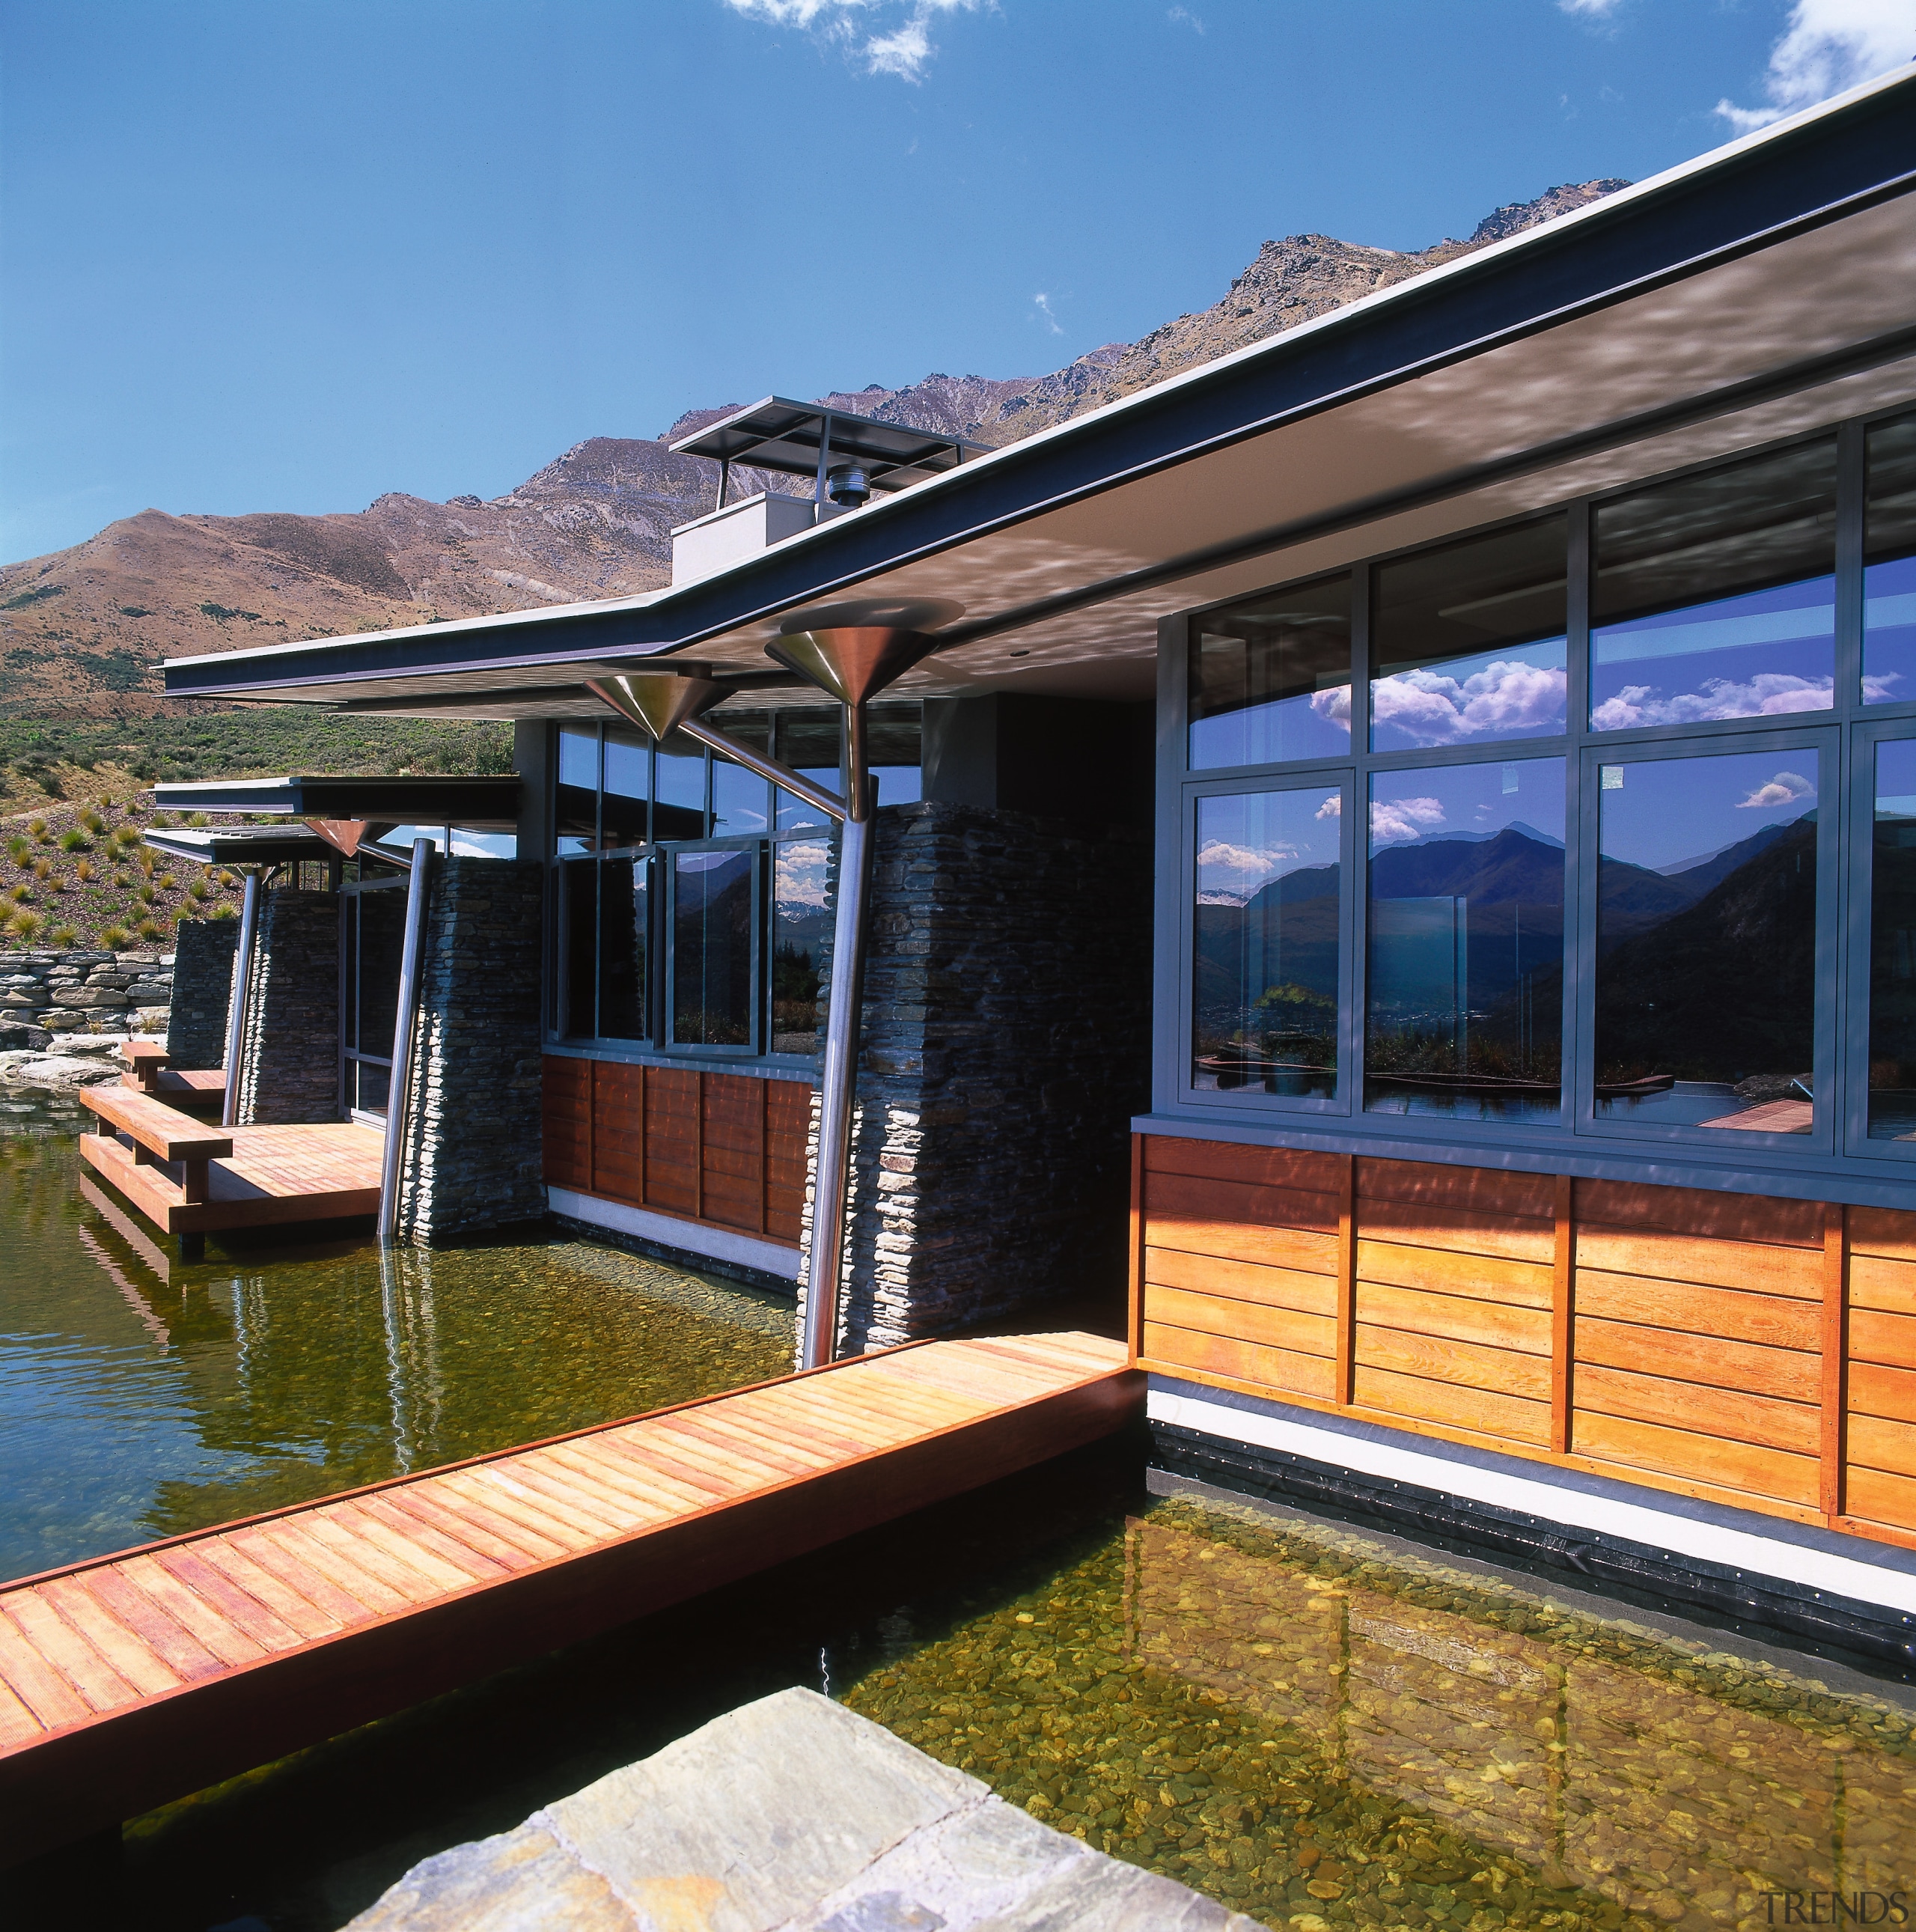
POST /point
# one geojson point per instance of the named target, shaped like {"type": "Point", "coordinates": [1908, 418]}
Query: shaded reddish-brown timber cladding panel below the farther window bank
{"type": "Point", "coordinates": [719, 1149]}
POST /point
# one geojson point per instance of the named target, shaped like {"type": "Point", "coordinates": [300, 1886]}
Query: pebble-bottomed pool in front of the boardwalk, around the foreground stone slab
{"type": "Point", "coordinates": [1318, 1726]}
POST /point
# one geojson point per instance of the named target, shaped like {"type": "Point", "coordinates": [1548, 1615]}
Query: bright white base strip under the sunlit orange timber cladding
{"type": "Point", "coordinates": [1535, 1496]}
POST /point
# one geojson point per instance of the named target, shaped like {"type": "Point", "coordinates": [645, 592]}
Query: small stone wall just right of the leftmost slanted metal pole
{"type": "Point", "coordinates": [293, 1025]}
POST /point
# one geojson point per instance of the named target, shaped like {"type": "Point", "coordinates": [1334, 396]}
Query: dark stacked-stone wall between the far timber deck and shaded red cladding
{"type": "Point", "coordinates": [474, 1156]}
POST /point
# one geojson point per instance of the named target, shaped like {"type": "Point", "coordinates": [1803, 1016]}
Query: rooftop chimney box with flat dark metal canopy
{"type": "Point", "coordinates": [847, 457]}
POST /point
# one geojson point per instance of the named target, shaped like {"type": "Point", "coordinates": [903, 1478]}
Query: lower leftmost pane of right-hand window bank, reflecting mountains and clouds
{"type": "Point", "coordinates": [1268, 942]}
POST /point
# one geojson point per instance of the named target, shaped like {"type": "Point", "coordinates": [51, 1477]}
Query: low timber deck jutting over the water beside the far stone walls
{"type": "Point", "coordinates": [275, 1176]}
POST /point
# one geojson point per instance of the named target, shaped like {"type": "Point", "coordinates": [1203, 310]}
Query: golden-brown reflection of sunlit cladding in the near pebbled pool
{"type": "Point", "coordinates": [1674, 1802]}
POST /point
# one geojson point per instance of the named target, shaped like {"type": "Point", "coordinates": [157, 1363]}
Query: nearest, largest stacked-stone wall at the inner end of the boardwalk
{"type": "Point", "coordinates": [1005, 1052]}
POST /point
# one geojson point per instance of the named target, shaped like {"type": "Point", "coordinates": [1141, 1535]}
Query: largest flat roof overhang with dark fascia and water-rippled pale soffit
{"type": "Point", "coordinates": [1747, 297]}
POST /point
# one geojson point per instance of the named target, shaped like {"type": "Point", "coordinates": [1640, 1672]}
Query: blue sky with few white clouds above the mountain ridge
{"type": "Point", "coordinates": [287, 256]}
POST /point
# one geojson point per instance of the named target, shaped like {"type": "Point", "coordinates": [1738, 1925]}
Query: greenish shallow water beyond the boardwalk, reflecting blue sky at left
{"type": "Point", "coordinates": [142, 1396]}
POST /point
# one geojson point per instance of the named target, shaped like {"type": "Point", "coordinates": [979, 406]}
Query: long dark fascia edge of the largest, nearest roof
{"type": "Point", "coordinates": [1830, 167]}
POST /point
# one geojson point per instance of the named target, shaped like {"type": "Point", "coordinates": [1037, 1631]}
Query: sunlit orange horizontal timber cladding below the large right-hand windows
{"type": "Point", "coordinates": [1733, 1348]}
